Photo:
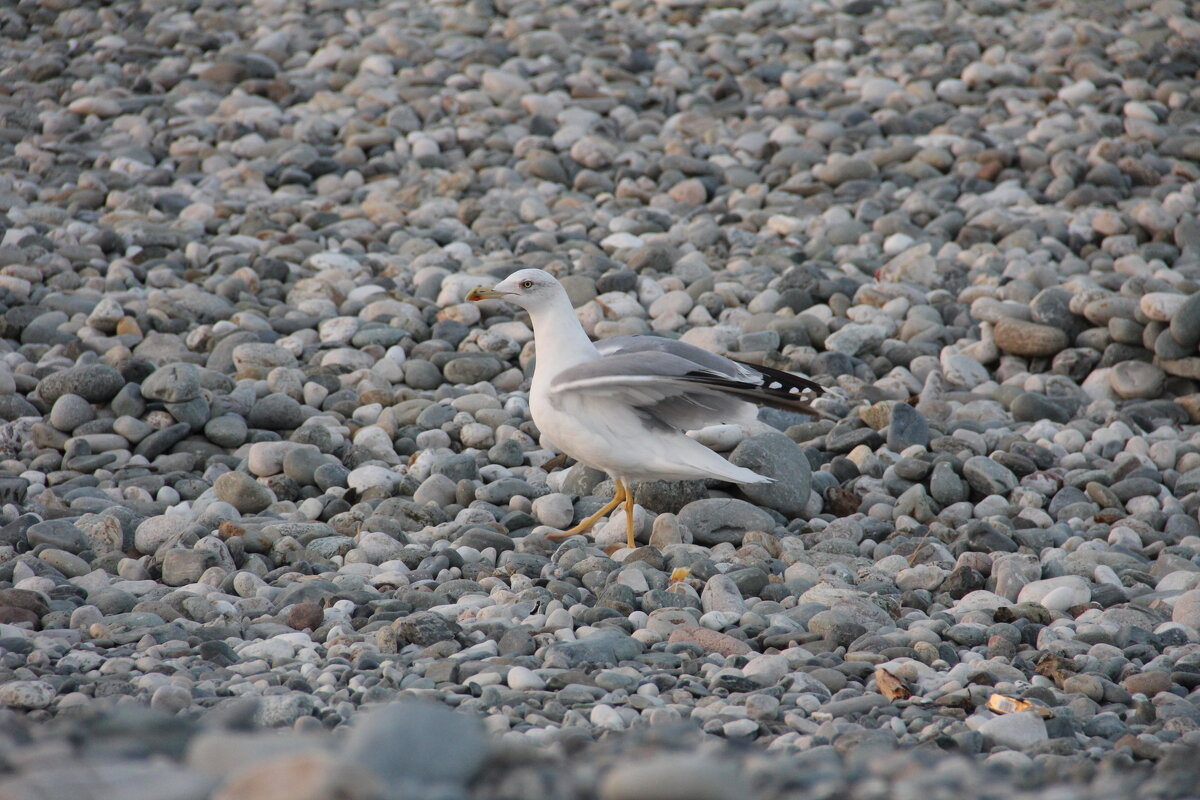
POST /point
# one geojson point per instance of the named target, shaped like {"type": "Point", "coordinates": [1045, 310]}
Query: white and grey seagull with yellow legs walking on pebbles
{"type": "Point", "coordinates": [623, 405]}
